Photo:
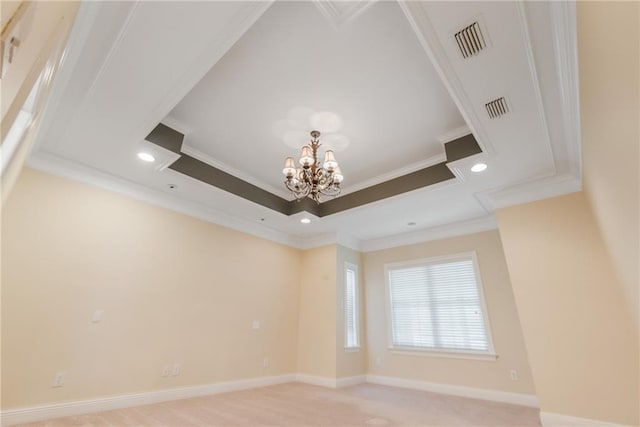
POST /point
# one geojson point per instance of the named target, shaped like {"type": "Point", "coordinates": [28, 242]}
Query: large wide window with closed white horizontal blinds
{"type": "Point", "coordinates": [437, 304]}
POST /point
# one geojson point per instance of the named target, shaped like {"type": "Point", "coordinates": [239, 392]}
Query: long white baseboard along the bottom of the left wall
{"type": "Point", "coordinates": [67, 409]}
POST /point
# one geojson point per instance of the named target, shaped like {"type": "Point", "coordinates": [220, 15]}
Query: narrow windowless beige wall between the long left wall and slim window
{"type": "Point", "coordinates": [317, 328]}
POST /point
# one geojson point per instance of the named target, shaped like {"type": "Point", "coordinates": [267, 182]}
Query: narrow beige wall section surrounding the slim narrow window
{"type": "Point", "coordinates": [349, 363]}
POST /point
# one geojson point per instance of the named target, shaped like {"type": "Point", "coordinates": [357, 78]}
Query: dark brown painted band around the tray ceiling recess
{"type": "Point", "coordinates": [172, 140]}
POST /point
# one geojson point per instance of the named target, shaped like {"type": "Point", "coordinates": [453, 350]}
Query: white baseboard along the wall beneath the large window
{"type": "Point", "coordinates": [456, 390]}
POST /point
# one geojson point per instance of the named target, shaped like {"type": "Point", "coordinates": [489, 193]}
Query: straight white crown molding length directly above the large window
{"type": "Point", "coordinates": [475, 225]}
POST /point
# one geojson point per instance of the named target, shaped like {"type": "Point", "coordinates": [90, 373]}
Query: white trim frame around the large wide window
{"type": "Point", "coordinates": [490, 354]}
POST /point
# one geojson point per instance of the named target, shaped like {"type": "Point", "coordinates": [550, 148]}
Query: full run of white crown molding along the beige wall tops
{"type": "Point", "coordinates": [526, 192]}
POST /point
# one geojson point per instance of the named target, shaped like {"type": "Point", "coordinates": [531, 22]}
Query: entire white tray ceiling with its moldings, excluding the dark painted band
{"type": "Point", "coordinates": [226, 73]}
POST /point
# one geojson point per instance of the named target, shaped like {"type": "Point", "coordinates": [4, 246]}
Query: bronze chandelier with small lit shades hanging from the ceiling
{"type": "Point", "coordinates": [312, 179]}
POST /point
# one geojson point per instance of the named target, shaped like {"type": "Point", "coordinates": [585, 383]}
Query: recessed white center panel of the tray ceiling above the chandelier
{"type": "Point", "coordinates": [372, 72]}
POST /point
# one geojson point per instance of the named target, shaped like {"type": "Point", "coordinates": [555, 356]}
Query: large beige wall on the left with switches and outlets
{"type": "Point", "coordinates": [173, 289]}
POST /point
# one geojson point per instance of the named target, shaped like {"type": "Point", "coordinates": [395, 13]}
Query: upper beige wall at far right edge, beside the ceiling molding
{"type": "Point", "coordinates": [609, 53]}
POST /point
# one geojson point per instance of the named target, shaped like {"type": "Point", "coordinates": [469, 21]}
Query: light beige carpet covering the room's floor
{"type": "Point", "coordinates": [298, 404]}
